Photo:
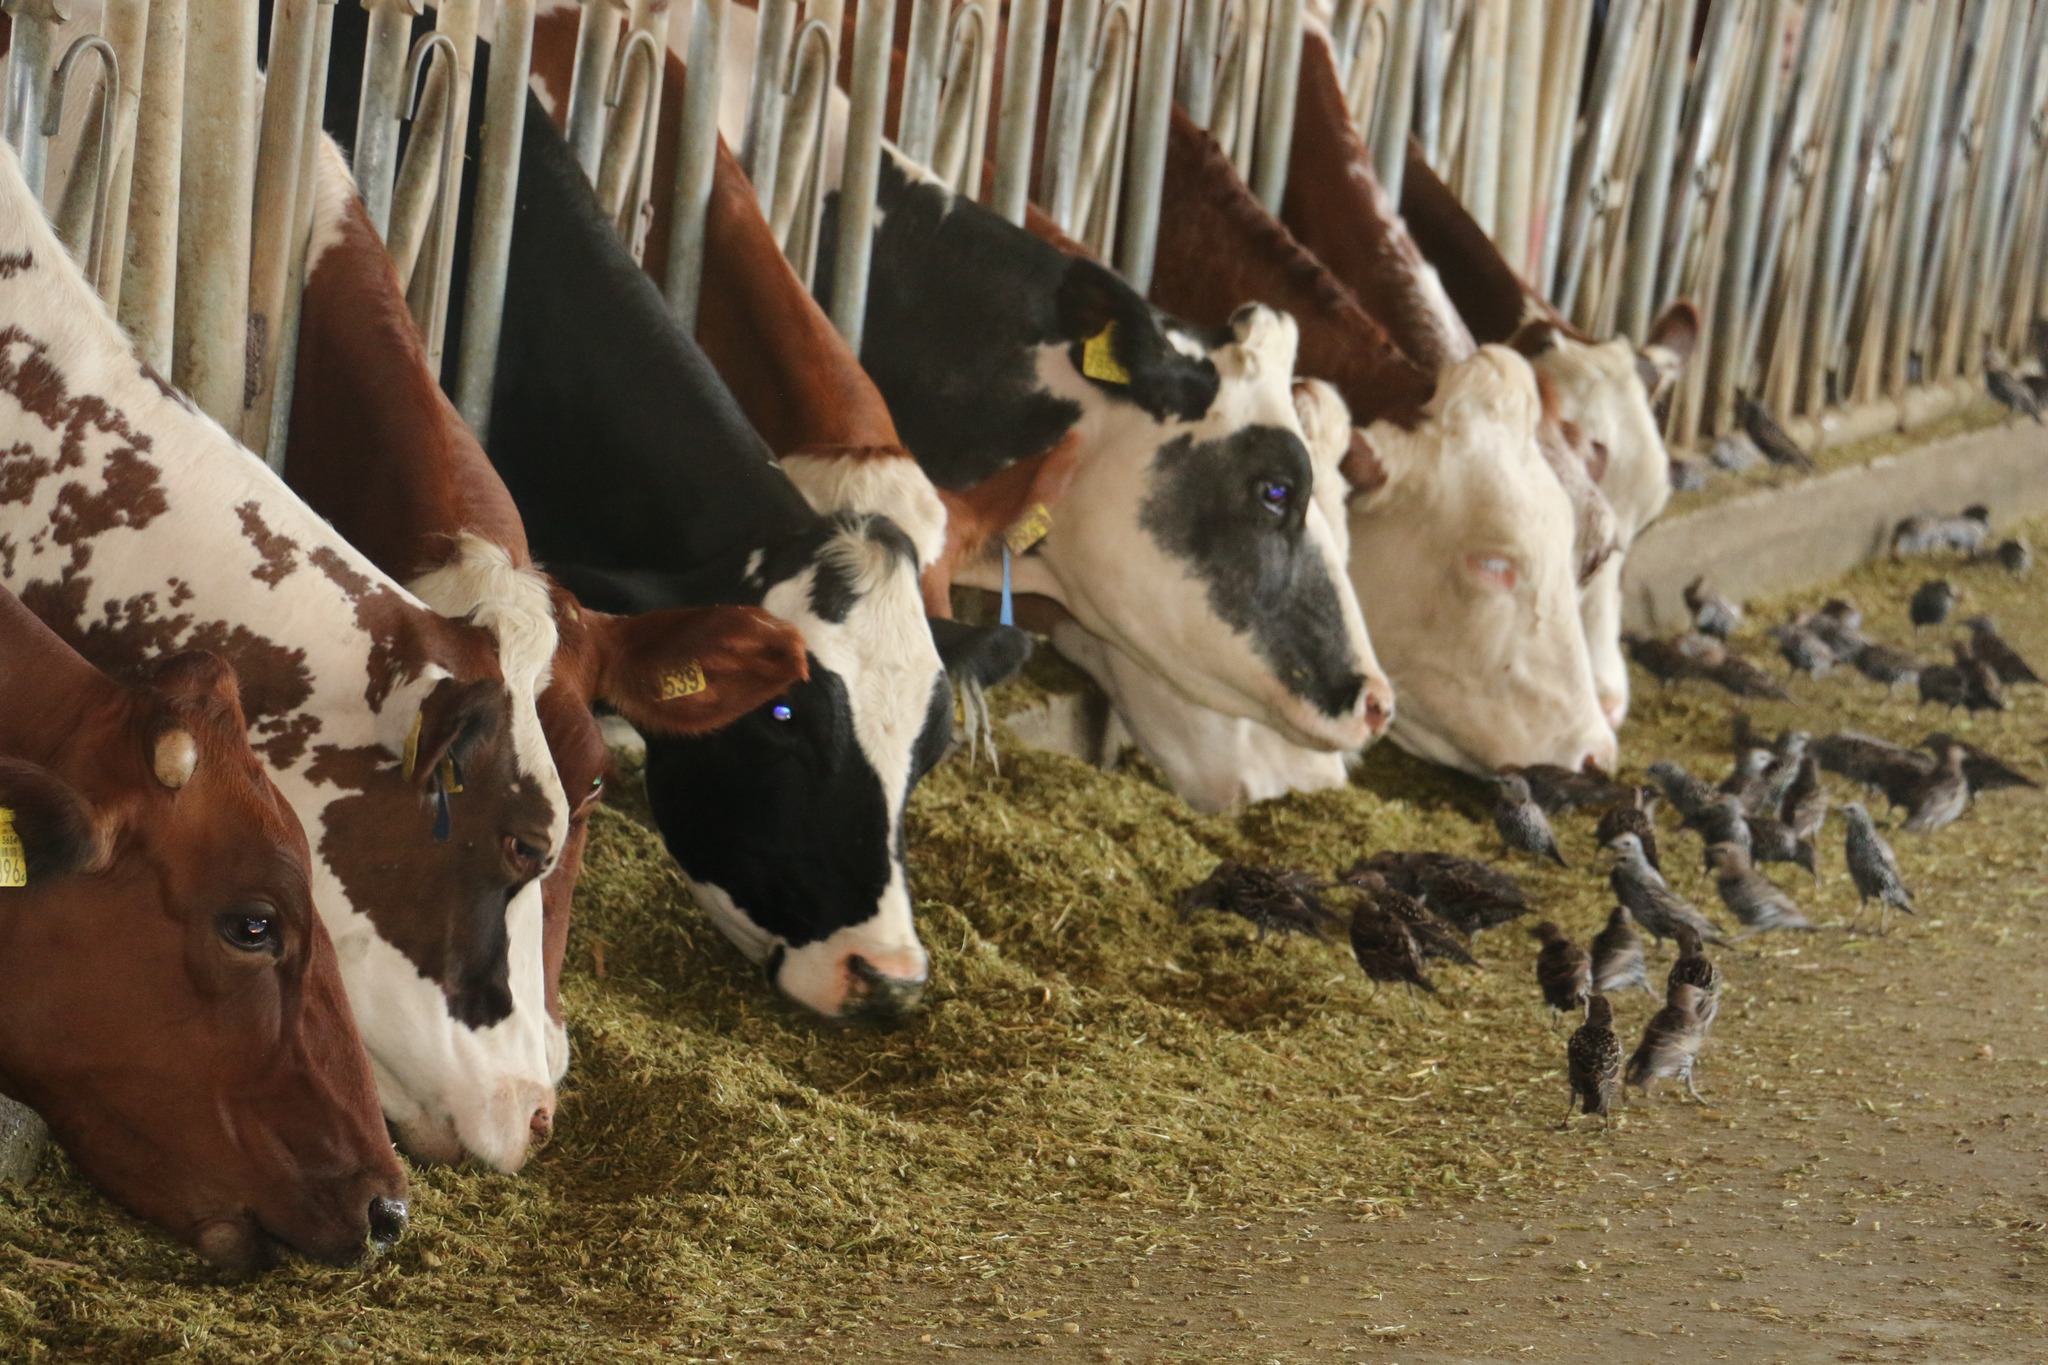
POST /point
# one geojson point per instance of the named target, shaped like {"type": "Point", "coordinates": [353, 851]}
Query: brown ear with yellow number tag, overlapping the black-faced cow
{"type": "Point", "coordinates": [691, 670]}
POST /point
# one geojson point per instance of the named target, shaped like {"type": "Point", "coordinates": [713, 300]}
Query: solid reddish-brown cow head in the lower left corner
{"type": "Point", "coordinates": [169, 1000]}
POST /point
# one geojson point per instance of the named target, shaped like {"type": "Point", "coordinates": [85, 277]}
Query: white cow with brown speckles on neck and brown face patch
{"type": "Point", "coordinates": [411, 752]}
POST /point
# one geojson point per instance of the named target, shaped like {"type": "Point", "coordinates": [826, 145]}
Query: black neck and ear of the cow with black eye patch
{"type": "Point", "coordinates": [959, 300]}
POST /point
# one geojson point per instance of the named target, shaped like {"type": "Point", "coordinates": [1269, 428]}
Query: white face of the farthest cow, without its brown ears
{"type": "Point", "coordinates": [1601, 390]}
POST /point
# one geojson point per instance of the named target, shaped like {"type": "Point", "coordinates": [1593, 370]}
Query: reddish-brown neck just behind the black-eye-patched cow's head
{"type": "Point", "coordinates": [1220, 249]}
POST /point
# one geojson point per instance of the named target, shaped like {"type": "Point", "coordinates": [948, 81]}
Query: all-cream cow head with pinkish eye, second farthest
{"type": "Point", "coordinates": [1463, 554]}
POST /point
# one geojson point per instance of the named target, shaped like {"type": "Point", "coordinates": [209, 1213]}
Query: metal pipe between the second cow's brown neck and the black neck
{"type": "Point", "coordinates": [490, 236]}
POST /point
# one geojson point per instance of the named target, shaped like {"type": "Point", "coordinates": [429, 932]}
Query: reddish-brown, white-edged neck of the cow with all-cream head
{"type": "Point", "coordinates": [1336, 210]}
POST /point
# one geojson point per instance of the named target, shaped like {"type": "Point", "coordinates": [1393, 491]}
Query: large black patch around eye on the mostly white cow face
{"type": "Point", "coordinates": [1265, 578]}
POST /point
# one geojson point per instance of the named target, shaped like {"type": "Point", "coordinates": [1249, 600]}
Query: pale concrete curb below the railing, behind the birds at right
{"type": "Point", "coordinates": [1820, 529]}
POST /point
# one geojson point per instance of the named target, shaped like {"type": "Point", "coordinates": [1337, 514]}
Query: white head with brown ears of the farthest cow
{"type": "Point", "coordinates": [1613, 394]}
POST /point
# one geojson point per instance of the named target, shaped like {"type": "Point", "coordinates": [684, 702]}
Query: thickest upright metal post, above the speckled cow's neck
{"type": "Point", "coordinates": [210, 355]}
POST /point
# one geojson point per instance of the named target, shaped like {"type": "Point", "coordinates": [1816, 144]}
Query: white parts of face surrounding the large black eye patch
{"type": "Point", "coordinates": [1123, 586]}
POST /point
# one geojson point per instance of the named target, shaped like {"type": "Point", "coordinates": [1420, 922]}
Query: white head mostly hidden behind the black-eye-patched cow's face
{"type": "Point", "coordinates": [1213, 760]}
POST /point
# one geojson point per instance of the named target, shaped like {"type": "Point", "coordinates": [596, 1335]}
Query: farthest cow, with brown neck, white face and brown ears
{"type": "Point", "coordinates": [1609, 390]}
